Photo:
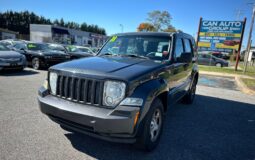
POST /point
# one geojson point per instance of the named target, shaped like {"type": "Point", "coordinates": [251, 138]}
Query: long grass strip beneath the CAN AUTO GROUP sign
{"type": "Point", "coordinates": [228, 70]}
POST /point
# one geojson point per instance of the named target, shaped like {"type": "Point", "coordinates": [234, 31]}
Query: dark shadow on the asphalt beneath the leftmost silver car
{"type": "Point", "coordinates": [25, 72]}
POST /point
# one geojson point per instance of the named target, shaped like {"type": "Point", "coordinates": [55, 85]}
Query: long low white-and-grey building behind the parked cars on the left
{"type": "Point", "coordinates": [57, 34]}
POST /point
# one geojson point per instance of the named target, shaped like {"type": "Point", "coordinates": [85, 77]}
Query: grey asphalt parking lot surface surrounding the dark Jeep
{"type": "Point", "coordinates": [219, 125]}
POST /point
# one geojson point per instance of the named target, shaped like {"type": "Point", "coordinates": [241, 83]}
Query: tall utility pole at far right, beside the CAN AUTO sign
{"type": "Point", "coordinates": [248, 47]}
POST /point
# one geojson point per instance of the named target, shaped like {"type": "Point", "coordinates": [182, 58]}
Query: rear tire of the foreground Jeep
{"type": "Point", "coordinates": [190, 96]}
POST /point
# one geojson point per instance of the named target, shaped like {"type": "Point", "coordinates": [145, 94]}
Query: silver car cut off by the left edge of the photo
{"type": "Point", "coordinates": [11, 59]}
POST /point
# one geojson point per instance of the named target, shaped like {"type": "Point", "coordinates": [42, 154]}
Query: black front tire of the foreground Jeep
{"type": "Point", "coordinates": [146, 141]}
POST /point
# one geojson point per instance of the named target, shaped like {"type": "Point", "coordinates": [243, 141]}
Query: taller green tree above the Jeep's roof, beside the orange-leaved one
{"type": "Point", "coordinates": [161, 20]}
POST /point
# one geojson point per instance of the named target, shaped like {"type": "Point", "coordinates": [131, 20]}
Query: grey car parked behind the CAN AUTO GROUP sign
{"type": "Point", "coordinates": [210, 60]}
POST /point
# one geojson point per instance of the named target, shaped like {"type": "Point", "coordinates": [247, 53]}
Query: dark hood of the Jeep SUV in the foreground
{"type": "Point", "coordinates": [124, 68]}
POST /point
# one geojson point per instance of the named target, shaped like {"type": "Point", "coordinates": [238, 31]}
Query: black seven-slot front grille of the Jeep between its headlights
{"type": "Point", "coordinates": [75, 89]}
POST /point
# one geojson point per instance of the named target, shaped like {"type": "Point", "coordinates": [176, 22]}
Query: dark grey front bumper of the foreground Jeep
{"type": "Point", "coordinates": [115, 125]}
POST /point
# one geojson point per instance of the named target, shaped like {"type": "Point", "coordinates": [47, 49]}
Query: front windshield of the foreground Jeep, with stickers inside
{"type": "Point", "coordinates": [153, 47]}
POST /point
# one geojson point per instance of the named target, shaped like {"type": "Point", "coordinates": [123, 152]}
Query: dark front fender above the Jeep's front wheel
{"type": "Point", "coordinates": [148, 91]}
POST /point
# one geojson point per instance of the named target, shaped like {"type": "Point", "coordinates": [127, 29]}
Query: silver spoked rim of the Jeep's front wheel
{"type": "Point", "coordinates": [155, 125]}
